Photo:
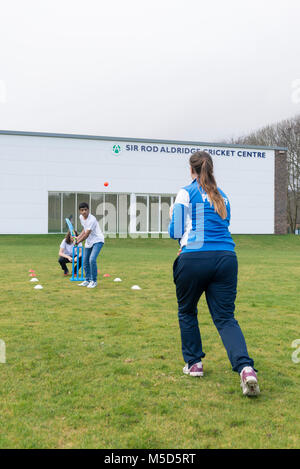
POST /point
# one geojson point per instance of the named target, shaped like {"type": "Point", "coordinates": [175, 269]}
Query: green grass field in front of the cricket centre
{"type": "Point", "coordinates": [102, 368]}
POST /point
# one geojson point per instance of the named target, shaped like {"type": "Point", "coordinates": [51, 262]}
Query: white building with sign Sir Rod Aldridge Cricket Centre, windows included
{"type": "Point", "coordinates": [45, 176]}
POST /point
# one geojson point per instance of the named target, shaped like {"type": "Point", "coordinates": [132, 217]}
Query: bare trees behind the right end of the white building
{"type": "Point", "coordinates": [285, 134]}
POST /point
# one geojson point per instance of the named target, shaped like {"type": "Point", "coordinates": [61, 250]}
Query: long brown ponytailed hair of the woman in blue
{"type": "Point", "coordinates": [202, 165]}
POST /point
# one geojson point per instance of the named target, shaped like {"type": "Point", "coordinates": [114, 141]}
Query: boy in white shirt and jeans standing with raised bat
{"type": "Point", "coordinates": [94, 240]}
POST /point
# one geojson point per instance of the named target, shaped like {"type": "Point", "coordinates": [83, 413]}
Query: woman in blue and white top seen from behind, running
{"type": "Point", "coordinates": [200, 220]}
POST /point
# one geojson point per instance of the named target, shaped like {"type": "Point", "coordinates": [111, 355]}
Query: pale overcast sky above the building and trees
{"type": "Point", "coordinates": [166, 69]}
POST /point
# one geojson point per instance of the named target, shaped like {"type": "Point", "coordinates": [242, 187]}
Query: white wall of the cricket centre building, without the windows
{"type": "Point", "coordinates": [32, 166]}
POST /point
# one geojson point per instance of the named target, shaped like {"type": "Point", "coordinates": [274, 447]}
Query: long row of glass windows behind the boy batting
{"type": "Point", "coordinates": [116, 213]}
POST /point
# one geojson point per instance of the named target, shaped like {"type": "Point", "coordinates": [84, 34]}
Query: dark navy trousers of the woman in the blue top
{"type": "Point", "coordinates": [215, 273]}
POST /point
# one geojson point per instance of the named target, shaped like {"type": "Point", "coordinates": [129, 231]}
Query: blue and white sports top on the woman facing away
{"type": "Point", "coordinates": [196, 224]}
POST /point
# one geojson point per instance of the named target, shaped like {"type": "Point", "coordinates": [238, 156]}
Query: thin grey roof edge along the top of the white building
{"type": "Point", "coordinates": [135, 140]}
